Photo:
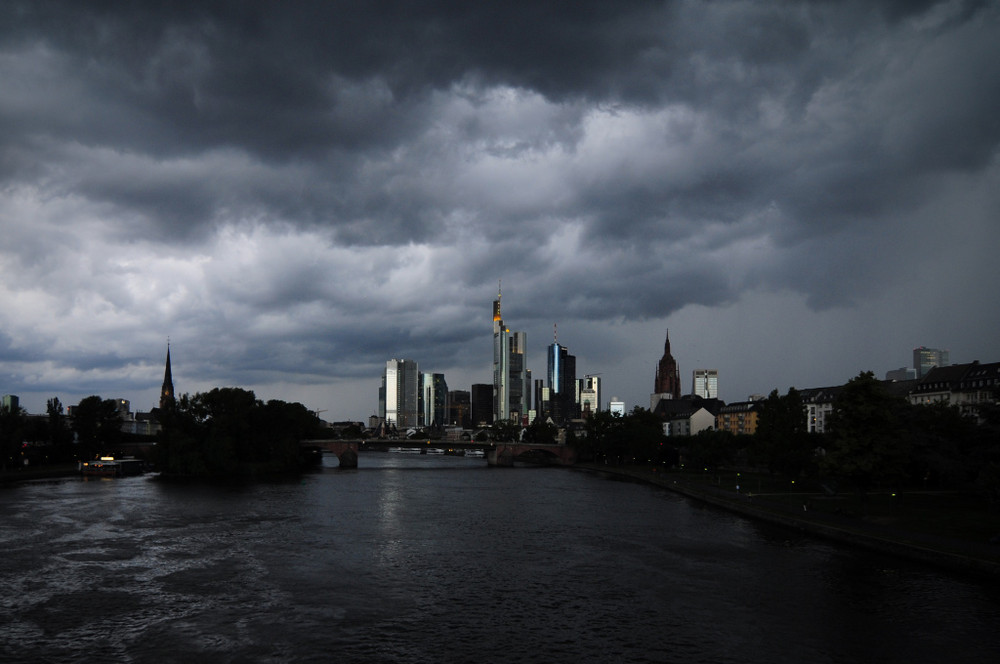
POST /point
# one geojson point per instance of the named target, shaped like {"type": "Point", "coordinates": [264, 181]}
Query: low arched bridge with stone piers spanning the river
{"type": "Point", "coordinates": [497, 454]}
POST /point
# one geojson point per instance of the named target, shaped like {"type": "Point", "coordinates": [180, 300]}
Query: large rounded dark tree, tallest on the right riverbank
{"type": "Point", "coordinates": [868, 443]}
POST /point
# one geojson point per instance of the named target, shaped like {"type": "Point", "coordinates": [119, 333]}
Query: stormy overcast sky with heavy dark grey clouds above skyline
{"type": "Point", "coordinates": [296, 192]}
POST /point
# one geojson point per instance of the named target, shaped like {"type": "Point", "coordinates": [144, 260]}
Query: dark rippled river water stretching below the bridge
{"type": "Point", "coordinates": [440, 559]}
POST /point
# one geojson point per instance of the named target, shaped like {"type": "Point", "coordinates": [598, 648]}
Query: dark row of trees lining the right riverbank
{"type": "Point", "coordinates": [874, 439]}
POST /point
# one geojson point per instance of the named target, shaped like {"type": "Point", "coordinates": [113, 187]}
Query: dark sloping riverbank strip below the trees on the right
{"type": "Point", "coordinates": [962, 555]}
